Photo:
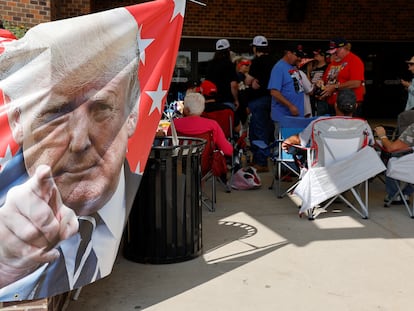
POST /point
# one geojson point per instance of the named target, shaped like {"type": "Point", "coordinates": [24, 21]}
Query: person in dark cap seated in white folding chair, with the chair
{"type": "Point", "coordinates": [336, 143]}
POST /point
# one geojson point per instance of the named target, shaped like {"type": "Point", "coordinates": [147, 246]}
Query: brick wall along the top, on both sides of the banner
{"type": "Point", "coordinates": [363, 20]}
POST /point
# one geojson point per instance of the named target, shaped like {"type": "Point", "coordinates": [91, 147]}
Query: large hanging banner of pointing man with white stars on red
{"type": "Point", "coordinates": [80, 102]}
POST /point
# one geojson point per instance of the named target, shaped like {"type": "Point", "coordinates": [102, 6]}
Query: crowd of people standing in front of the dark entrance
{"type": "Point", "coordinates": [262, 89]}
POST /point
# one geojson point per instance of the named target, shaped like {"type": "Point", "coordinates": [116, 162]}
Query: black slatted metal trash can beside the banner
{"type": "Point", "coordinates": [165, 222]}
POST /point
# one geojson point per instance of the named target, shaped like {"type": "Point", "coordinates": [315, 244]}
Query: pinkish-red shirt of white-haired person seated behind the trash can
{"type": "Point", "coordinates": [197, 125]}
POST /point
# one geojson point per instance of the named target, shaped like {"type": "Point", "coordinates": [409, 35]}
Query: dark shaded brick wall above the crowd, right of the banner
{"type": "Point", "coordinates": [355, 19]}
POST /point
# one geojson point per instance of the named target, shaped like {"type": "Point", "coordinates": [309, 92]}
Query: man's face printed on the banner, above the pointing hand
{"type": "Point", "coordinates": [81, 132]}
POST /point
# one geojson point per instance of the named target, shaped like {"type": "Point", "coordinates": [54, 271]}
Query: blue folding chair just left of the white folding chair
{"type": "Point", "coordinates": [286, 164]}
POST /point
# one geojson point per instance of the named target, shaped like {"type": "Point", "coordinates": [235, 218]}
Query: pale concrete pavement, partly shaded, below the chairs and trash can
{"type": "Point", "coordinates": [259, 255]}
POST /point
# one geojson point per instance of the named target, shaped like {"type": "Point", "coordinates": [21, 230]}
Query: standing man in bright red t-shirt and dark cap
{"type": "Point", "coordinates": [346, 71]}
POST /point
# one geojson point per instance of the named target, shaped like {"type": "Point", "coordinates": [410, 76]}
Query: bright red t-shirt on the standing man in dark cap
{"type": "Point", "coordinates": [349, 68]}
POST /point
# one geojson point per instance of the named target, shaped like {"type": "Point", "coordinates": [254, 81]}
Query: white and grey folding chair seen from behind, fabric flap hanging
{"type": "Point", "coordinates": [338, 161]}
